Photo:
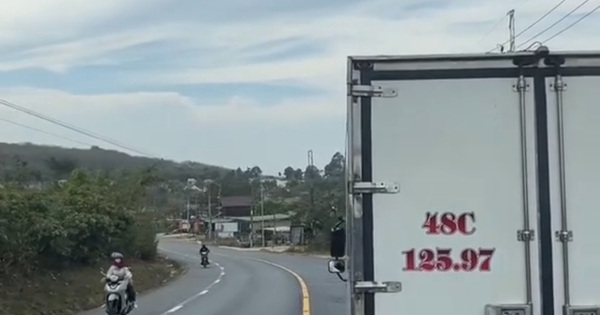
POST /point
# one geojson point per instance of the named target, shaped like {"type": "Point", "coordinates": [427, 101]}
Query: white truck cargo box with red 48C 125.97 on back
{"type": "Point", "coordinates": [474, 184]}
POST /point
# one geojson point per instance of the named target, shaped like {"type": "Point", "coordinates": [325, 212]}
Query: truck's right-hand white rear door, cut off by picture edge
{"type": "Point", "coordinates": [573, 113]}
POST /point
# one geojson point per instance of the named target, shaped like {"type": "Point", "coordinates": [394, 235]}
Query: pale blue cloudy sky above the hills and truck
{"type": "Point", "coordinates": [232, 83]}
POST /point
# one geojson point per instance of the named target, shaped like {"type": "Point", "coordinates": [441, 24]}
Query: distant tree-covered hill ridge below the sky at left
{"type": "Point", "coordinates": [51, 162]}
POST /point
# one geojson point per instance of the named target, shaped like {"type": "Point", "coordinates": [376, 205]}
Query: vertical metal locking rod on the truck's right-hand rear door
{"type": "Point", "coordinates": [564, 235]}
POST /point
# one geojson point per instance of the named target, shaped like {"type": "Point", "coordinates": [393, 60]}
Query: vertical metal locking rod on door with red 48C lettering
{"type": "Point", "coordinates": [527, 235]}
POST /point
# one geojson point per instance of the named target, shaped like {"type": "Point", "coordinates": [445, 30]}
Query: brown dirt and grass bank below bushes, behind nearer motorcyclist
{"type": "Point", "coordinates": [71, 291]}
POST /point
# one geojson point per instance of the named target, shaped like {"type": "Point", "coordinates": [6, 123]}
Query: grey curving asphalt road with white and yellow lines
{"type": "Point", "coordinates": [240, 282]}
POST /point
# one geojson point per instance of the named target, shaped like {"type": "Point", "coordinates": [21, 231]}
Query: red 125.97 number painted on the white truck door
{"type": "Point", "coordinates": [440, 259]}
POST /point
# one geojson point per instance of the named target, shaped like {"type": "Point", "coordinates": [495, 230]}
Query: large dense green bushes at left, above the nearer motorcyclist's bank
{"type": "Point", "coordinates": [76, 224]}
